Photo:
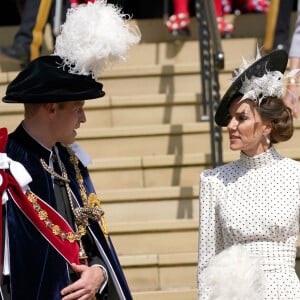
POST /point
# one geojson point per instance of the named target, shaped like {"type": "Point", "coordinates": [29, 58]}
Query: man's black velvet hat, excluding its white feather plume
{"type": "Point", "coordinates": [46, 80]}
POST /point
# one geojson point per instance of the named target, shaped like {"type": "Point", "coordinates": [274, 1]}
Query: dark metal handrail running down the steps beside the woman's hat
{"type": "Point", "coordinates": [212, 60]}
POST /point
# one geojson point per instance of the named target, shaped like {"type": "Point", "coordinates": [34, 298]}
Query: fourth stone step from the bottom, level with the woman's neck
{"type": "Point", "coordinates": [160, 170]}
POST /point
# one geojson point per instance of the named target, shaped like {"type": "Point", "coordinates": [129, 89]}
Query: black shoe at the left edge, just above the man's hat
{"type": "Point", "coordinates": [16, 53]}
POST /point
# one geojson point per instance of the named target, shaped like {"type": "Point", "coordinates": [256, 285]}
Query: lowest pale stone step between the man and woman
{"type": "Point", "coordinates": [160, 272]}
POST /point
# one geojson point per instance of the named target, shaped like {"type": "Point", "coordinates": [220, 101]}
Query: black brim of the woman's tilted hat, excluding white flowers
{"type": "Point", "coordinates": [274, 61]}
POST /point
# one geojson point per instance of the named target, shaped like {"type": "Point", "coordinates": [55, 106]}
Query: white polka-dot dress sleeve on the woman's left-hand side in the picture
{"type": "Point", "coordinates": [210, 232]}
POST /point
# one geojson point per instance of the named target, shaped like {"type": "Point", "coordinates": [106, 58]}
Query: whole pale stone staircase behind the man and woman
{"type": "Point", "coordinates": [149, 147]}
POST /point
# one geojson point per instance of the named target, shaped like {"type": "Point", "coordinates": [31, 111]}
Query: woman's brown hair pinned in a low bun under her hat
{"type": "Point", "coordinates": [274, 110]}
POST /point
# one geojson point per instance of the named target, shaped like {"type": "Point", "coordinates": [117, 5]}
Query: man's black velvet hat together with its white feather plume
{"type": "Point", "coordinates": [94, 36]}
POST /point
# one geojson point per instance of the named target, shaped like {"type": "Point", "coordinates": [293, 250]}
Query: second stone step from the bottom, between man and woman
{"type": "Point", "coordinates": [159, 237]}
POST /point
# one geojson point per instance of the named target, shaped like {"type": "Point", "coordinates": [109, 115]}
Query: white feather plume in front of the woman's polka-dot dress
{"type": "Point", "coordinates": [234, 275]}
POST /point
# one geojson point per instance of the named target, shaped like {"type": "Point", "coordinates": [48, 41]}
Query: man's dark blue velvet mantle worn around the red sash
{"type": "Point", "coordinates": [37, 269]}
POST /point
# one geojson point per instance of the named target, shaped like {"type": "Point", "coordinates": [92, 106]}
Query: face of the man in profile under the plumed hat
{"type": "Point", "coordinates": [67, 119]}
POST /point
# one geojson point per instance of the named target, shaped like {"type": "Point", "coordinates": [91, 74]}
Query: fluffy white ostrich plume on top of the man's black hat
{"type": "Point", "coordinates": [94, 37]}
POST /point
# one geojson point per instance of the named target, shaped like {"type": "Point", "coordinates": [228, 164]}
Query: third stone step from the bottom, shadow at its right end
{"type": "Point", "coordinates": [155, 203]}
